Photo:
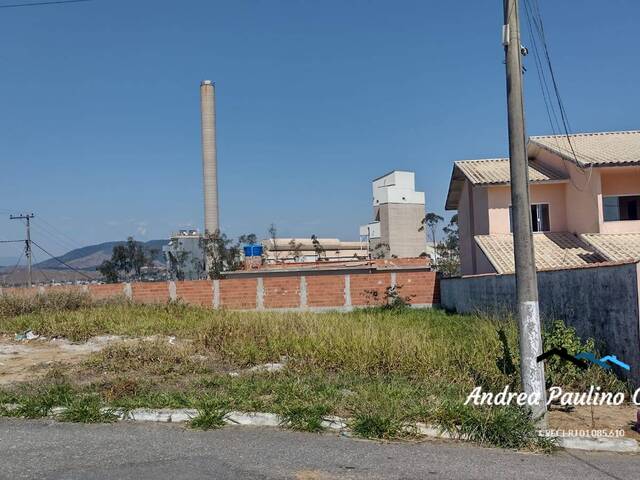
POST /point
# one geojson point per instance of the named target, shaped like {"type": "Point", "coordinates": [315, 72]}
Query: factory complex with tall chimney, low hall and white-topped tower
{"type": "Point", "coordinates": [394, 232]}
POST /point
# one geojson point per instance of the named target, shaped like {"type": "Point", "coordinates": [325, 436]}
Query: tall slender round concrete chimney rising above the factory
{"type": "Point", "coordinates": [209, 158]}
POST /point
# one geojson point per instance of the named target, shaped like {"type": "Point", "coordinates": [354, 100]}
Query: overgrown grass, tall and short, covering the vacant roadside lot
{"type": "Point", "coordinates": [382, 368]}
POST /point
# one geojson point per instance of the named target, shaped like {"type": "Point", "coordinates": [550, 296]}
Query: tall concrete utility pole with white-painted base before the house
{"type": "Point", "coordinates": [531, 371]}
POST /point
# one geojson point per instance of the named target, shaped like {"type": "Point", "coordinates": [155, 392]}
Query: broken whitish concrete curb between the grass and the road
{"type": "Point", "coordinates": [339, 424]}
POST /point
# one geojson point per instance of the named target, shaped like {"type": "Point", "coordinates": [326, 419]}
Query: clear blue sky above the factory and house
{"type": "Point", "coordinates": [100, 119]}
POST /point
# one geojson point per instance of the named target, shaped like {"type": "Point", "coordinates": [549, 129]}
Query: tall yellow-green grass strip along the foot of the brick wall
{"type": "Point", "coordinates": [414, 343]}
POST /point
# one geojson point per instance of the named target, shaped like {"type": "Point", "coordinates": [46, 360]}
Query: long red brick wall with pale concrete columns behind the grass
{"type": "Point", "coordinates": [291, 290]}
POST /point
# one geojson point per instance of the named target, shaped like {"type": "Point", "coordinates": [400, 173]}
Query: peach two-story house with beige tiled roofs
{"type": "Point", "coordinates": [585, 203]}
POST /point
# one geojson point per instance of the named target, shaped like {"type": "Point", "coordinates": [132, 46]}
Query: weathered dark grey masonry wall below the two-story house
{"type": "Point", "coordinates": [600, 302]}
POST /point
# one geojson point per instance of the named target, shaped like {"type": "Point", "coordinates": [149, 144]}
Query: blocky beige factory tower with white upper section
{"type": "Point", "coordinates": [398, 211]}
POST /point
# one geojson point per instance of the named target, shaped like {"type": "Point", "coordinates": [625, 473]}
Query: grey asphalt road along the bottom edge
{"type": "Point", "coordinates": [49, 450]}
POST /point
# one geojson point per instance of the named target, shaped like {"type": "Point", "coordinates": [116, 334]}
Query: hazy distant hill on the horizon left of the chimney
{"type": "Point", "coordinates": [90, 257]}
